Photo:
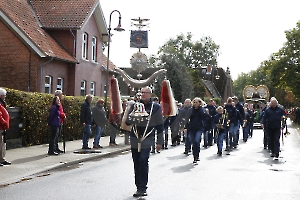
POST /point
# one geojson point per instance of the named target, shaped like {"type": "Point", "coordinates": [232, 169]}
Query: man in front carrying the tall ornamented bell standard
{"type": "Point", "coordinates": [141, 138]}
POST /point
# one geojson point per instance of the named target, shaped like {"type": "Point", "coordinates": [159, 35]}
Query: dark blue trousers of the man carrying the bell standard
{"type": "Point", "coordinates": [141, 167]}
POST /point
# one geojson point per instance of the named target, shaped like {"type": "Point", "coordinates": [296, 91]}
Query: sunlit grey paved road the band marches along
{"type": "Point", "coordinates": [247, 173]}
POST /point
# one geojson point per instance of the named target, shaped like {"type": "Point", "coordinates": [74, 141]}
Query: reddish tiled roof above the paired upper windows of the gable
{"type": "Point", "coordinates": [69, 14]}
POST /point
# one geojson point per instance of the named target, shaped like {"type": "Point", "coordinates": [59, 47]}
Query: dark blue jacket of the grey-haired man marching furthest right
{"type": "Point", "coordinates": [272, 117]}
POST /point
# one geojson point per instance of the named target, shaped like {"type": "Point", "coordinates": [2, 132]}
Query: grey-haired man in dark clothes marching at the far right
{"type": "Point", "coordinates": [272, 119]}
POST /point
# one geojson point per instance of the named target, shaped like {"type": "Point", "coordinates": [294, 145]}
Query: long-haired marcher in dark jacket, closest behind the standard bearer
{"type": "Point", "coordinates": [195, 126]}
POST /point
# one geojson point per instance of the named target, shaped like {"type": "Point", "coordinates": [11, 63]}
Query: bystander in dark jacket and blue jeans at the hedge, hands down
{"type": "Point", "coordinates": [86, 119]}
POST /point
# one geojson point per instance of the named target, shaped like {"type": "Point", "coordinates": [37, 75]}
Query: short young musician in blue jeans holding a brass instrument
{"type": "Point", "coordinates": [220, 121]}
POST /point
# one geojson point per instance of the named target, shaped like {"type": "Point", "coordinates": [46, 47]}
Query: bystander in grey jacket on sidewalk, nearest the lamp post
{"type": "Point", "coordinates": [99, 117]}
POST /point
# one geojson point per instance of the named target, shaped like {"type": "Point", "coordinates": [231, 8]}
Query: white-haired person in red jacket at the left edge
{"type": "Point", "coordinates": [4, 125]}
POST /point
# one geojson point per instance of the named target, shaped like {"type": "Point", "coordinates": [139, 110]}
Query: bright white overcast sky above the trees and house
{"type": "Point", "coordinates": [248, 32]}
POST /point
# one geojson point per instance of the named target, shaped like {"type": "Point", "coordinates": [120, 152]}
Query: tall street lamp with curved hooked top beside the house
{"type": "Point", "coordinates": [118, 28]}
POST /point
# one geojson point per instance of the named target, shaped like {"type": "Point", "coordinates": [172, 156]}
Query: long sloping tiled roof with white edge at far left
{"type": "Point", "coordinates": [20, 19]}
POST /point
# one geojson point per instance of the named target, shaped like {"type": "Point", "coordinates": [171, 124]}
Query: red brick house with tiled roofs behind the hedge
{"type": "Point", "coordinates": [48, 45]}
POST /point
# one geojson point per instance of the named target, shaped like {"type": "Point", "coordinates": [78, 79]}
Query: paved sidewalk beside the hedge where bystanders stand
{"type": "Point", "coordinates": [29, 161]}
